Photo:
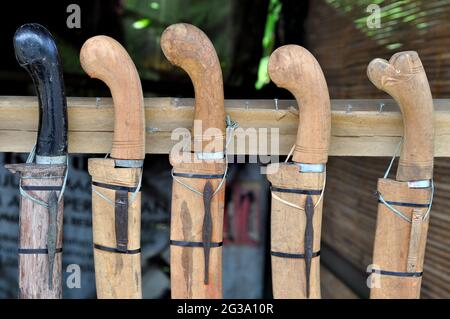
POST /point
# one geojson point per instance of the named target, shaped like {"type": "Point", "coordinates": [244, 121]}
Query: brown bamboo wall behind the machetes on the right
{"type": "Point", "coordinates": [338, 36]}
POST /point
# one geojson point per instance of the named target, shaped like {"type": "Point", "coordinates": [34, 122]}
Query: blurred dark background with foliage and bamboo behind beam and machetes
{"type": "Point", "coordinates": [244, 34]}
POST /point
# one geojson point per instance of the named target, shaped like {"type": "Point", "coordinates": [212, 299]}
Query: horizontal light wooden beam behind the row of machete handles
{"type": "Point", "coordinates": [359, 128]}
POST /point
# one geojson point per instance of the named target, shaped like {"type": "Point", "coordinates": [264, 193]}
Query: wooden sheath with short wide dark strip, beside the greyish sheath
{"type": "Point", "coordinates": [117, 276]}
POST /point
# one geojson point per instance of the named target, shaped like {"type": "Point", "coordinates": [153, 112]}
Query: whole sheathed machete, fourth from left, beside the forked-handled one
{"type": "Point", "coordinates": [297, 187]}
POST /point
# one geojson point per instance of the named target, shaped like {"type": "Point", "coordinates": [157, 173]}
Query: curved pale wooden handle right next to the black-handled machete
{"type": "Point", "coordinates": [104, 58]}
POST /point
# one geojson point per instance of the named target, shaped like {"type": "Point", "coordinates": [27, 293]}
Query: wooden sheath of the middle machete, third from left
{"type": "Point", "coordinates": [187, 263]}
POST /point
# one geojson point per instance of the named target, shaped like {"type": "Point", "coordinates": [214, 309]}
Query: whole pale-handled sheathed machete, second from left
{"type": "Point", "coordinates": [116, 200]}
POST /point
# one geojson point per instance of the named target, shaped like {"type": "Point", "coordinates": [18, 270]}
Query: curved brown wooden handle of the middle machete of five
{"type": "Point", "coordinates": [189, 48]}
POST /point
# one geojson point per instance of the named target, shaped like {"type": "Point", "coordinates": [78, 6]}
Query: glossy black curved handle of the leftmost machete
{"type": "Point", "coordinates": [36, 51]}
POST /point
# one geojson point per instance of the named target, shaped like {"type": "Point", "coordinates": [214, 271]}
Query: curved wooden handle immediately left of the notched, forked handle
{"type": "Point", "coordinates": [294, 68]}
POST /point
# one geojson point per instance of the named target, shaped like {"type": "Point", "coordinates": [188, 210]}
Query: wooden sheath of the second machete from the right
{"type": "Point", "coordinates": [287, 233]}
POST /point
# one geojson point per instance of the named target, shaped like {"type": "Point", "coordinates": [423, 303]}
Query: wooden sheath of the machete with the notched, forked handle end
{"type": "Point", "coordinates": [392, 241]}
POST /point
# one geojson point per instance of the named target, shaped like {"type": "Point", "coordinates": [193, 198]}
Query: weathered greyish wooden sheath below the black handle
{"type": "Point", "coordinates": [33, 226]}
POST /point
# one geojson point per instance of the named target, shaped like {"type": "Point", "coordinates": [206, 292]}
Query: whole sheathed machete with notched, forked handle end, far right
{"type": "Point", "coordinates": [404, 203]}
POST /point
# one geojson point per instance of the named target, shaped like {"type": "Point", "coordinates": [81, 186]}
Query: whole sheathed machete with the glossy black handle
{"type": "Point", "coordinates": [42, 183]}
